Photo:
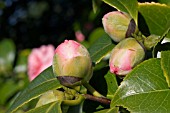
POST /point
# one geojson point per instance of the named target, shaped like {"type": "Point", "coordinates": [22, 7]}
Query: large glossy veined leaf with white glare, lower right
{"type": "Point", "coordinates": [141, 89]}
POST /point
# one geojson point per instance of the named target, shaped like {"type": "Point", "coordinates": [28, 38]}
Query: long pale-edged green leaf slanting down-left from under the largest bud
{"type": "Point", "coordinates": [44, 82]}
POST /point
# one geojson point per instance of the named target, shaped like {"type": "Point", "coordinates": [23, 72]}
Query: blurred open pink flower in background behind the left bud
{"type": "Point", "coordinates": [39, 59]}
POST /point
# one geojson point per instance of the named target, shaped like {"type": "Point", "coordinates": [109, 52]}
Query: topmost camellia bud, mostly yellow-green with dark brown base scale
{"type": "Point", "coordinates": [119, 25]}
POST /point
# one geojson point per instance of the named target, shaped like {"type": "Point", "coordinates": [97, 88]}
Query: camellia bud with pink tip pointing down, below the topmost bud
{"type": "Point", "coordinates": [125, 55]}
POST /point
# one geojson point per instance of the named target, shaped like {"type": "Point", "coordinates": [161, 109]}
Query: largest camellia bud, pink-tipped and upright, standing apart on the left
{"type": "Point", "coordinates": [72, 63]}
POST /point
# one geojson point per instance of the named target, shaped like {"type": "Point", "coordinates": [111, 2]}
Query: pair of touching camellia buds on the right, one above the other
{"type": "Point", "coordinates": [120, 26]}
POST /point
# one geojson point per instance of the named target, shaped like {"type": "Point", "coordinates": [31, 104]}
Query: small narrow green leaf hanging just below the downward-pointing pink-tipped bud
{"type": "Point", "coordinates": [112, 85]}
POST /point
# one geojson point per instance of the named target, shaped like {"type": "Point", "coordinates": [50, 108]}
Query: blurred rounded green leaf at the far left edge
{"type": "Point", "coordinates": [7, 55]}
